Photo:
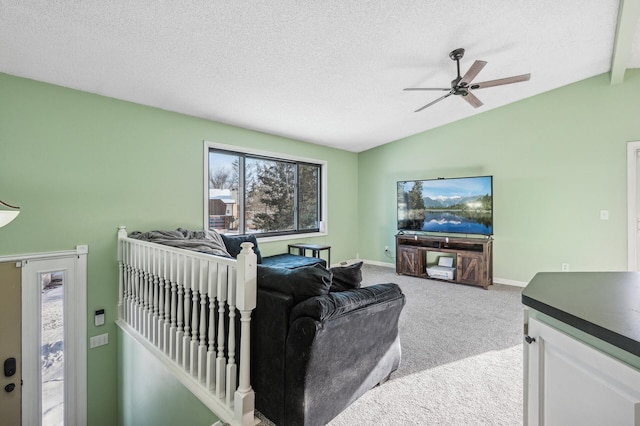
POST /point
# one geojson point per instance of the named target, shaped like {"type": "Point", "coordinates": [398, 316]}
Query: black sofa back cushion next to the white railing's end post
{"type": "Point", "coordinates": [301, 283]}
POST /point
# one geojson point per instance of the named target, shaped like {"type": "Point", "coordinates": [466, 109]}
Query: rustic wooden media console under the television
{"type": "Point", "coordinates": [473, 257]}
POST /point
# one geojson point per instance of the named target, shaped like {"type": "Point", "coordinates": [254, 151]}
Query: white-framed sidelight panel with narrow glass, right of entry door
{"type": "Point", "coordinates": [54, 341]}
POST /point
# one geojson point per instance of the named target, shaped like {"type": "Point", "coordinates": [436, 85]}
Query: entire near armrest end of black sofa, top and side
{"type": "Point", "coordinates": [330, 363]}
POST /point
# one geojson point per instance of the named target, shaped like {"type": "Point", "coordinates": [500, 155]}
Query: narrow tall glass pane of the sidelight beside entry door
{"type": "Point", "coordinates": [52, 347]}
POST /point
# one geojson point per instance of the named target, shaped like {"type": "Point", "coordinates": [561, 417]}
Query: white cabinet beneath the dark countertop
{"type": "Point", "coordinates": [571, 383]}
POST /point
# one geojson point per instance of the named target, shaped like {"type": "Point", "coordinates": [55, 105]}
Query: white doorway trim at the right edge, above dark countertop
{"type": "Point", "coordinates": [633, 205]}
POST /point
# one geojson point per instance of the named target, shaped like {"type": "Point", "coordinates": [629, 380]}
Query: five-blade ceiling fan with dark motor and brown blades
{"type": "Point", "coordinates": [462, 86]}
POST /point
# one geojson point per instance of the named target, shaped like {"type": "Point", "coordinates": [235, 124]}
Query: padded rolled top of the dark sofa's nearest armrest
{"type": "Point", "coordinates": [339, 303]}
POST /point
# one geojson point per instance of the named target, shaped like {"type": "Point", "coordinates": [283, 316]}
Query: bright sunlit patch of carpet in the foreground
{"type": "Point", "coordinates": [480, 390]}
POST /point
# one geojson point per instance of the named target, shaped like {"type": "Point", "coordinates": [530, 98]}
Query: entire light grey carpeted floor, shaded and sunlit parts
{"type": "Point", "coordinates": [461, 357]}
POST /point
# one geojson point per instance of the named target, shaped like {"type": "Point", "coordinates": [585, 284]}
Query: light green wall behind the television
{"type": "Point", "coordinates": [557, 160]}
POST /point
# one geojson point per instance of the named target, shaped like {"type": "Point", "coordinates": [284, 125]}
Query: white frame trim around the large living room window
{"type": "Point", "coordinates": [208, 145]}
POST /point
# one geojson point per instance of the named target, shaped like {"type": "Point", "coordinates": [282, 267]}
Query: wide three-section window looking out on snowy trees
{"type": "Point", "coordinates": [259, 193]}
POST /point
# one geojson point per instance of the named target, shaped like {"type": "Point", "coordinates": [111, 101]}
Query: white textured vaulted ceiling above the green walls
{"type": "Point", "coordinates": [327, 72]}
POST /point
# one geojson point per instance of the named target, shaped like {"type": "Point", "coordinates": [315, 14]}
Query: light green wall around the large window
{"type": "Point", "coordinates": [80, 165]}
